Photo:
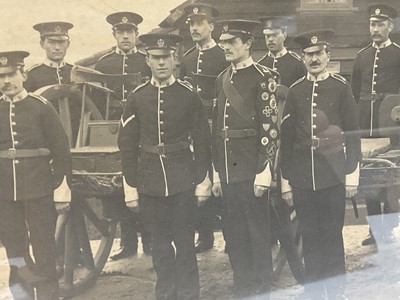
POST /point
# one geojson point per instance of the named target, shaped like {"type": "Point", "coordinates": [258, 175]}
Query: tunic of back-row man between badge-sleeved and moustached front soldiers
{"type": "Point", "coordinates": [288, 64]}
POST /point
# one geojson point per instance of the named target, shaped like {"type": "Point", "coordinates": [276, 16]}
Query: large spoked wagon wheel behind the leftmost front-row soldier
{"type": "Point", "coordinates": [80, 260]}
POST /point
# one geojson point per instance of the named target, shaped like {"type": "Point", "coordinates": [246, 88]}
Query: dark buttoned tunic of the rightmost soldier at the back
{"type": "Point", "coordinates": [376, 72]}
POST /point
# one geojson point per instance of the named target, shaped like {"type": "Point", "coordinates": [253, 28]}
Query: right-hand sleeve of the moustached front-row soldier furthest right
{"type": "Point", "coordinates": [351, 130]}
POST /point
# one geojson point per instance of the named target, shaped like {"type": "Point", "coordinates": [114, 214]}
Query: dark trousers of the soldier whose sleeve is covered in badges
{"type": "Point", "coordinates": [248, 239]}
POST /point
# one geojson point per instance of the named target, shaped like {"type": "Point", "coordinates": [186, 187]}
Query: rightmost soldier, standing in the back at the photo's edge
{"type": "Point", "coordinates": [376, 73]}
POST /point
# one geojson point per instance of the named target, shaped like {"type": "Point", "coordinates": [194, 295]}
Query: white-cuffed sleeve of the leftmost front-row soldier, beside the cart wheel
{"type": "Point", "coordinates": [57, 143]}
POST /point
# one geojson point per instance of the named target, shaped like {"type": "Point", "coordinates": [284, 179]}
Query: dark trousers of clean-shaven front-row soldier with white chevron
{"type": "Point", "coordinates": [171, 219]}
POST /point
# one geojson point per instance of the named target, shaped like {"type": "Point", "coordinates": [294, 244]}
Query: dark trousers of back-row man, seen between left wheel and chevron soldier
{"type": "Point", "coordinates": [130, 222]}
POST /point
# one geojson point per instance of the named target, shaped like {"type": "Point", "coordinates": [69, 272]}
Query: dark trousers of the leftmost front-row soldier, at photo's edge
{"type": "Point", "coordinates": [40, 215]}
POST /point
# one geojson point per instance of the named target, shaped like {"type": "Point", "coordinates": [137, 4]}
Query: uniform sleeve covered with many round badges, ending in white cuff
{"type": "Point", "coordinates": [267, 113]}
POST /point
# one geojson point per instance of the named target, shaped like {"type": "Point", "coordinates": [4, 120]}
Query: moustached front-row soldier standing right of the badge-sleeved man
{"type": "Point", "coordinates": [320, 154]}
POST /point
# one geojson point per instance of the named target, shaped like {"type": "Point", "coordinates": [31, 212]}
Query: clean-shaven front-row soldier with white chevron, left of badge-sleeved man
{"type": "Point", "coordinates": [161, 120]}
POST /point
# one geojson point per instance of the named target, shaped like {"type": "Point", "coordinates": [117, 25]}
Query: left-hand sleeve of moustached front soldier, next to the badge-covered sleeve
{"type": "Point", "coordinates": [288, 134]}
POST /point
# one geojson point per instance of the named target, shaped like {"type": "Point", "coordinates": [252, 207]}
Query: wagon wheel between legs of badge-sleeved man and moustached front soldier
{"type": "Point", "coordinates": [285, 225]}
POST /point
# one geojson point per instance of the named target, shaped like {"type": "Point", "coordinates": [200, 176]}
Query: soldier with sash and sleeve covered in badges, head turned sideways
{"type": "Point", "coordinates": [245, 135]}
